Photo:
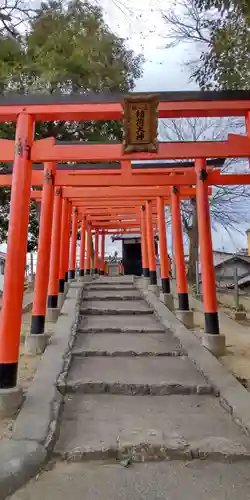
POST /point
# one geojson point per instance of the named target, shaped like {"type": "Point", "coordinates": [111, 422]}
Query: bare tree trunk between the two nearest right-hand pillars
{"type": "Point", "coordinates": [193, 245]}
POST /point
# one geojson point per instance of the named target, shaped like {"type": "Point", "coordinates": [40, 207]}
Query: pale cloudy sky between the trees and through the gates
{"type": "Point", "coordinates": [140, 22]}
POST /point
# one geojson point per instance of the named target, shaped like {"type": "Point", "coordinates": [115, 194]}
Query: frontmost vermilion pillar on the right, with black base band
{"type": "Point", "coordinates": [206, 250]}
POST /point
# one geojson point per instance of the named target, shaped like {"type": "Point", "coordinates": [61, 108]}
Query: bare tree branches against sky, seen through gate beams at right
{"type": "Point", "coordinates": [229, 205]}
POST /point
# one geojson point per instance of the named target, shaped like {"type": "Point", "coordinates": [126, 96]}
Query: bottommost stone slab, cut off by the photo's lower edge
{"type": "Point", "coordinates": [168, 480]}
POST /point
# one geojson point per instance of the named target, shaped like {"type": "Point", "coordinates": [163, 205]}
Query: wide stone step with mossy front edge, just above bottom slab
{"type": "Point", "coordinates": [149, 428]}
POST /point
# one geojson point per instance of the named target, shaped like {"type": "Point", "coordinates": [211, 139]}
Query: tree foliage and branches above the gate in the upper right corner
{"type": "Point", "coordinates": [221, 29]}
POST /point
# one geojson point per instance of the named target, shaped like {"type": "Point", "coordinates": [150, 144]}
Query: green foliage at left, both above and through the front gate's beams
{"type": "Point", "coordinates": [67, 48]}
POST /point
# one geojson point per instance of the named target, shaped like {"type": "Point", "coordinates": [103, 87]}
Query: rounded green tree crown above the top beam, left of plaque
{"type": "Point", "coordinates": [70, 49]}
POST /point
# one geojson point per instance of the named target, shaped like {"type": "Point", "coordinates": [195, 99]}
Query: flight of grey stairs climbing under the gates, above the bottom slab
{"type": "Point", "coordinates": [132, 392]}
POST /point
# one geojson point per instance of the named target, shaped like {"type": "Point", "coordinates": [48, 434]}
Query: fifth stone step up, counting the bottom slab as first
{"type": "Point", "coordinates": [120, 324]}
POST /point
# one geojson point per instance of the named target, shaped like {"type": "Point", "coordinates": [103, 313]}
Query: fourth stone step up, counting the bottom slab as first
{"type": "Point", "coordinates": [127, 344]}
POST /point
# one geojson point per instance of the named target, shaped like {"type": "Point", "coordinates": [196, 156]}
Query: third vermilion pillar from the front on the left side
{"type": "Point", "coordinates": [55, 251]}
